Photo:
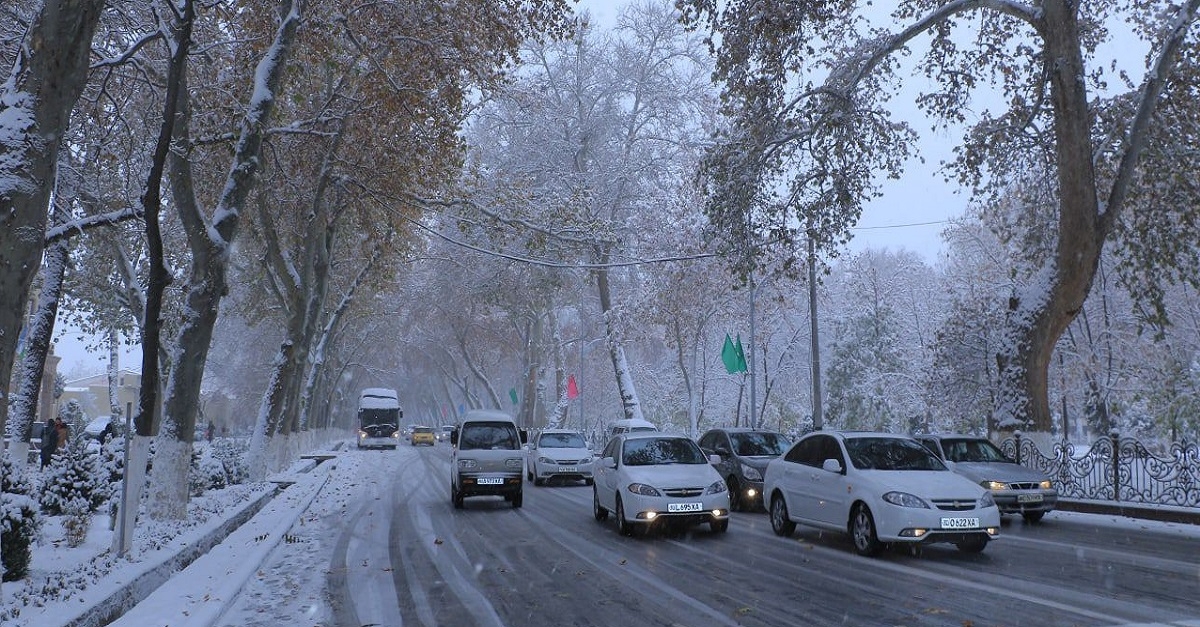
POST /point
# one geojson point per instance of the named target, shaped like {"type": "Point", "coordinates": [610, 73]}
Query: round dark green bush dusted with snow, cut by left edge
{"type": "Point", "coordinates": [20, 521]}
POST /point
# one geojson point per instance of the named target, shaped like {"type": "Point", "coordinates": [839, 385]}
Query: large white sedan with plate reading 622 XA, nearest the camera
{"type": "Point", "coordinates": [880, 489]}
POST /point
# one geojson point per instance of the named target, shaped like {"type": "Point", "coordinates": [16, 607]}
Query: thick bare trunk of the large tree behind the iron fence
{"type": "Point", "coordinates": [1041, 315]}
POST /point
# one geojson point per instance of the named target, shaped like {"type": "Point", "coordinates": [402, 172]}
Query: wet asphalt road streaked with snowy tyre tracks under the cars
{"type": "Point", "coordinates": [385, 547]}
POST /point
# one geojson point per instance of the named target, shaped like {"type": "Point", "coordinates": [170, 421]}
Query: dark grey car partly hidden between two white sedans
{"type": "Point", "coordinates": [745, 455]}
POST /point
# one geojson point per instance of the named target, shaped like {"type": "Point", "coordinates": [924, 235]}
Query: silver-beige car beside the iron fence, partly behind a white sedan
{"type": "Point", "coordinates": [1016, 488]}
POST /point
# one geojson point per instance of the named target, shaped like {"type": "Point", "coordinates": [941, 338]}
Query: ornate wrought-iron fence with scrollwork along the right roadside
{"type": "Point", "coordinates": [1117, 469]}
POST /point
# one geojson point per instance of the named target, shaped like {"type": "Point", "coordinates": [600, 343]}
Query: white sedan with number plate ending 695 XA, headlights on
{"type": "Point", "coordinates": [649, 479]}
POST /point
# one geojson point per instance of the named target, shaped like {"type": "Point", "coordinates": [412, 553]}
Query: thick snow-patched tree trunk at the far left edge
{"type": "Point", "coordinates": [47, 77]}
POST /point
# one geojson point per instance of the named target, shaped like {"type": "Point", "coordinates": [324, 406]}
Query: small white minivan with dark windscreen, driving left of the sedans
{"type": "Point", "coordinates": [487, 458]}
